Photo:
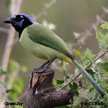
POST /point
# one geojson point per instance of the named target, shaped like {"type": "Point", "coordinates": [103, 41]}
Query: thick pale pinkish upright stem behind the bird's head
{"type": "Point", "coordinates": [14, 9]}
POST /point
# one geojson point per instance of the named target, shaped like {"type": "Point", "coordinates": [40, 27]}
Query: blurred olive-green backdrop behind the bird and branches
{"type": "Point", "coordinates": [68, 15]}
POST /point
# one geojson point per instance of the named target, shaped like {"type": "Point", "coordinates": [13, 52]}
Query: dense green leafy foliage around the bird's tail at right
{"type": "Point", "coordinates": [84, 92]}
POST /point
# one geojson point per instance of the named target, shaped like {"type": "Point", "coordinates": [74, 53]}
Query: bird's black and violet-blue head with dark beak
{"type": "Point", "coordinates": [20, 21]}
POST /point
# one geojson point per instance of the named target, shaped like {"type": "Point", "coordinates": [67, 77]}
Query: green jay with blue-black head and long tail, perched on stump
{"type": "Point", "coordinates": [45, 44]}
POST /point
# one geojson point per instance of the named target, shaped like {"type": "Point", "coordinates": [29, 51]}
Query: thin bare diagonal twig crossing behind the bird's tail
{"type": "Point", "coordinates": [85, 68]}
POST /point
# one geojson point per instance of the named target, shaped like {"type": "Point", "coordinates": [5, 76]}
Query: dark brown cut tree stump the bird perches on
{"type": "Point", "coordinates": [41, 92]}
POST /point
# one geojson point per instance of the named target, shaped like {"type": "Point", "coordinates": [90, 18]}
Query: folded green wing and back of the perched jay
{"type": "Point", "coordinates": [44, 36]}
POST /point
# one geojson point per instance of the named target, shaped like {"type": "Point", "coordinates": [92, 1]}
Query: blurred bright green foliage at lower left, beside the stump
{"type": "Point", "coordinates": [14, 84]}
